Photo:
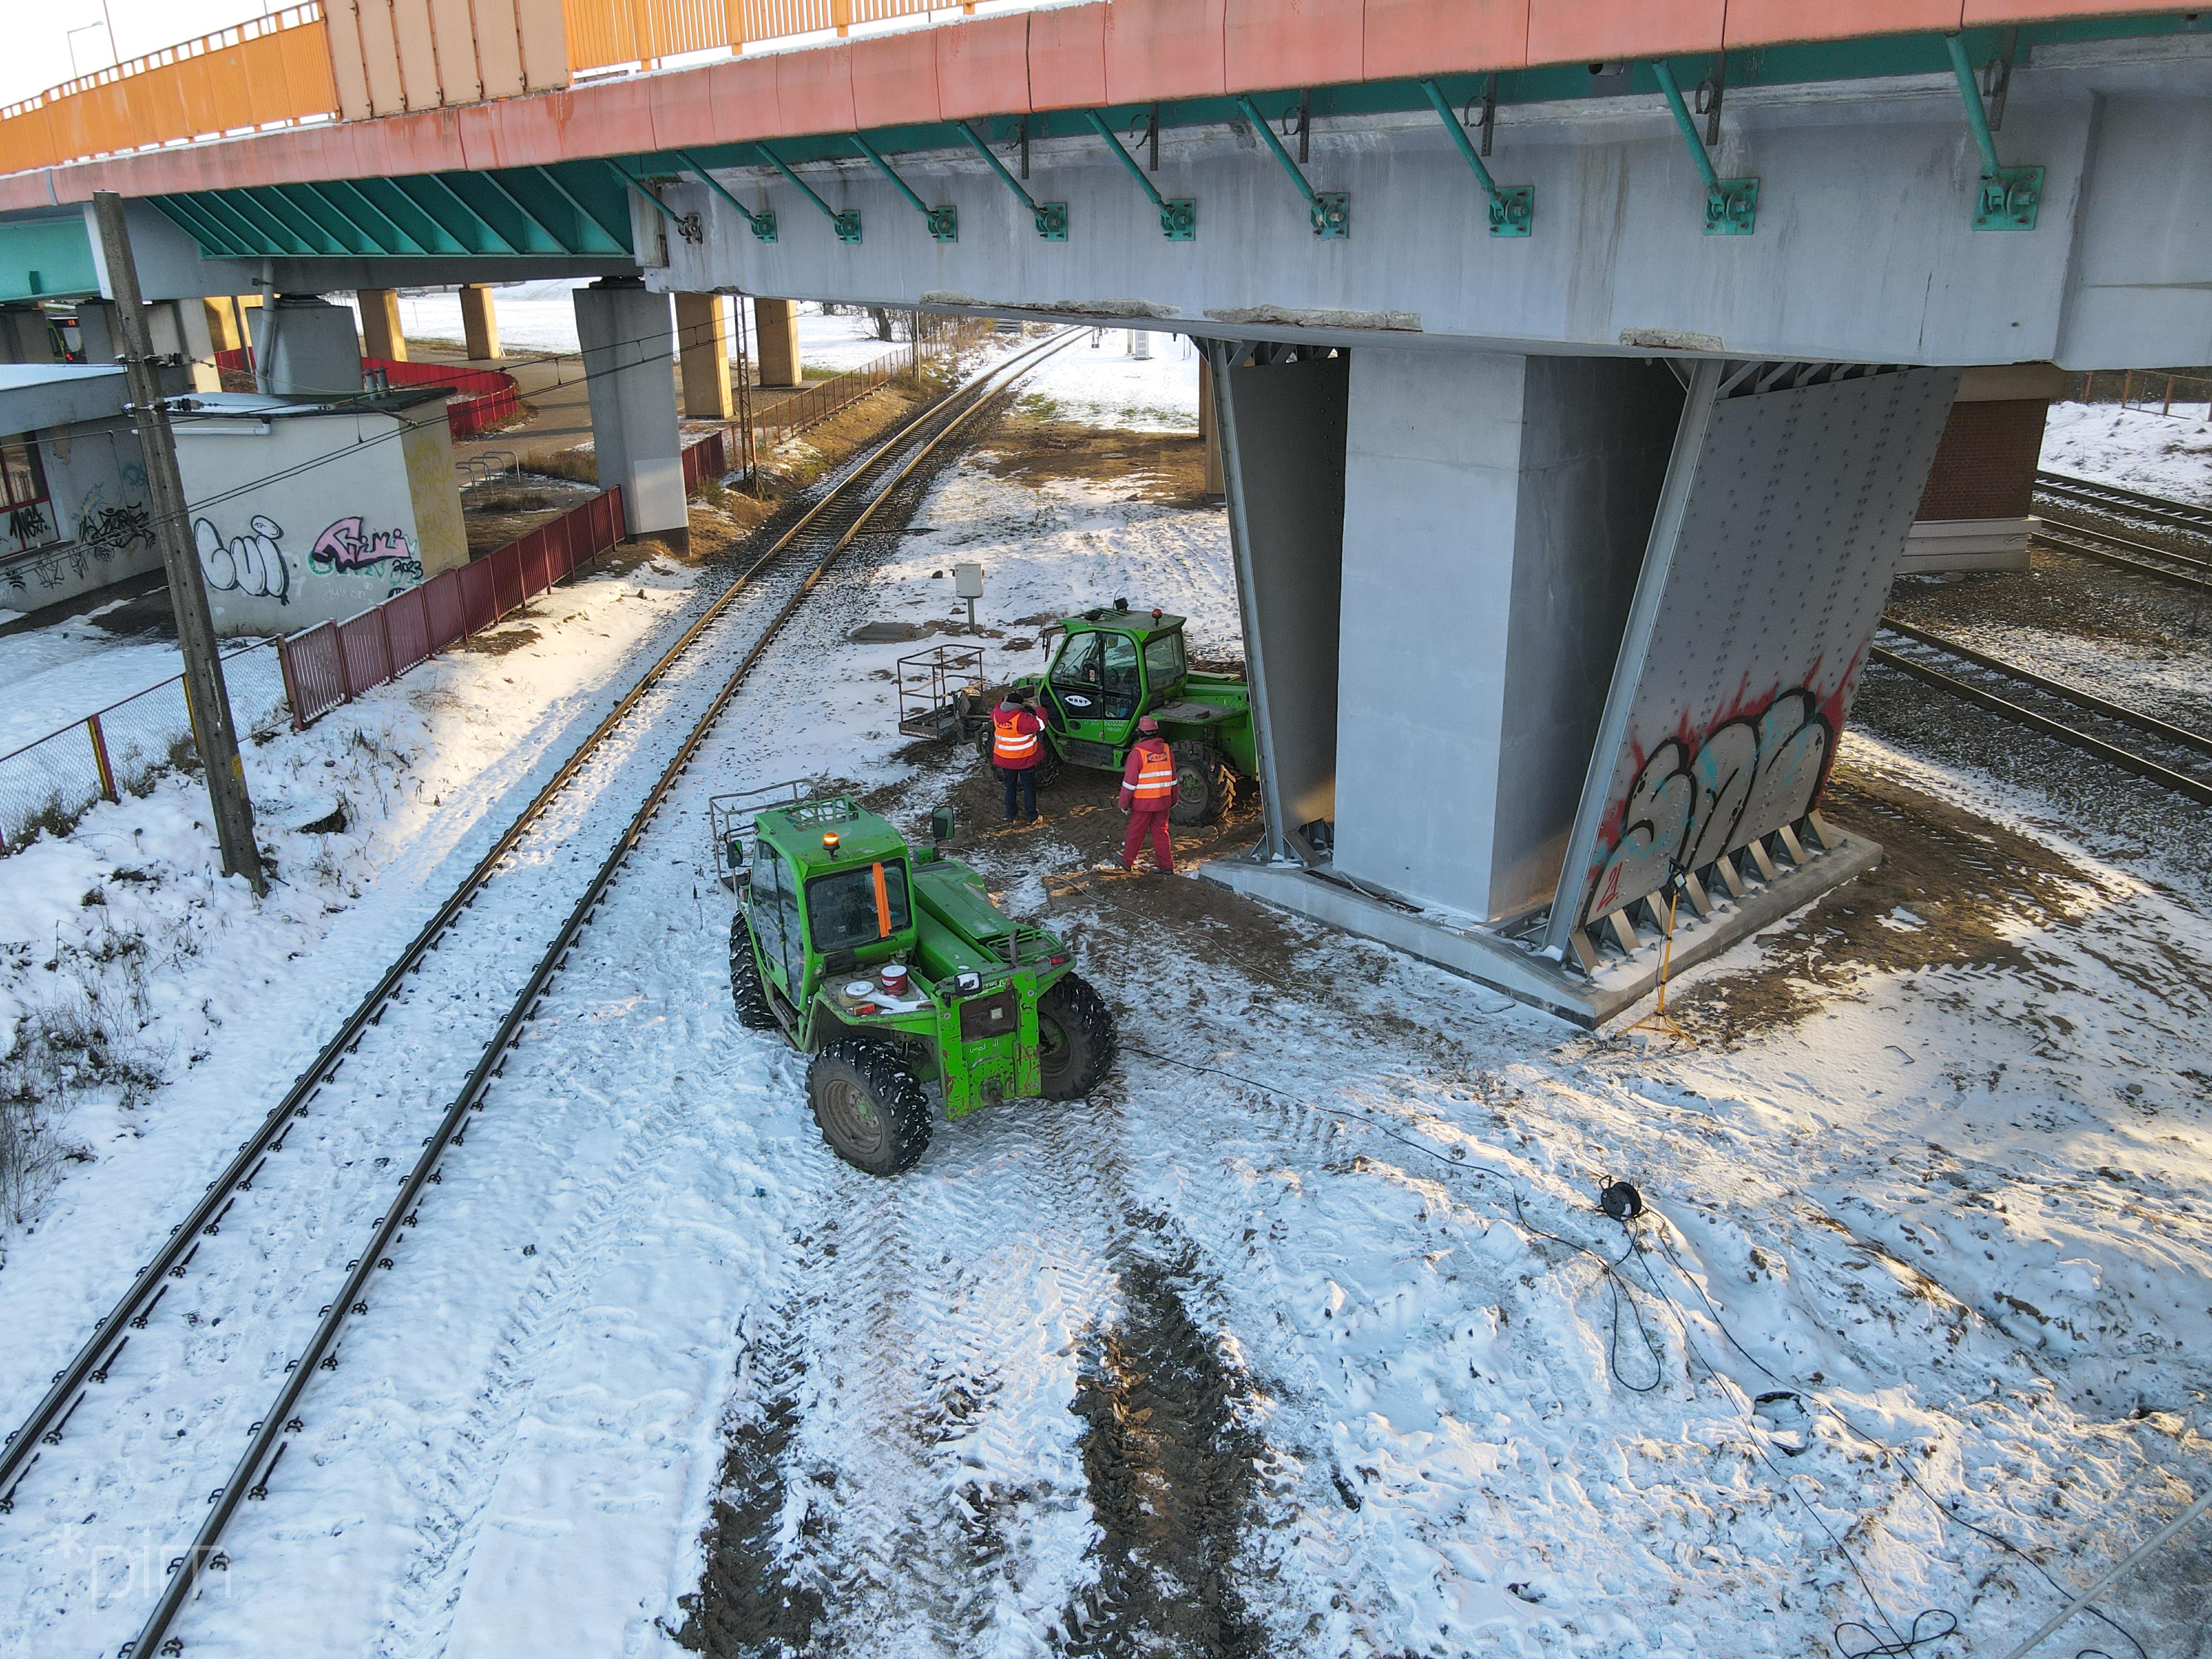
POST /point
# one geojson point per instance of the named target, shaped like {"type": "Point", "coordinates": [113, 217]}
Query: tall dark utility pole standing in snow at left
{"type": "Point", "coordinates": [196, 627]}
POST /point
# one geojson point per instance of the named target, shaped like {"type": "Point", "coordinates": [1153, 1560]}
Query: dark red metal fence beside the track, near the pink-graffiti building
{"type": "Point", "coordinates": [340, 660]}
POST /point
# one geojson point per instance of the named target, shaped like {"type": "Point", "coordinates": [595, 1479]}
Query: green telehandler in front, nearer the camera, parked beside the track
{"type": "Point", "coordinates": [901, 979]}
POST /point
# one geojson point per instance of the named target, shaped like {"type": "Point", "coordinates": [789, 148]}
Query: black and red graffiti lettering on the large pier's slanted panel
{"type": "Point", "coordinates": [1700, 797]}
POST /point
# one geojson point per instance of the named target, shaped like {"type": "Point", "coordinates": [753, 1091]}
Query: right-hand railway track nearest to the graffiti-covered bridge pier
{"type": "Point", "coordinates": [2142, 744]}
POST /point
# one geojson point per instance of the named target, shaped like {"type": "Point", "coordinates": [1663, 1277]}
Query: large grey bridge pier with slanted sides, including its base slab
{"type": "Point", "coordinates": [1640, 594]}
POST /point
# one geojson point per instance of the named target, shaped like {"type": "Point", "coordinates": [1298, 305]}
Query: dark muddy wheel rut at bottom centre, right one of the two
{"type": "Point", "coordinates": [1169, 1463]}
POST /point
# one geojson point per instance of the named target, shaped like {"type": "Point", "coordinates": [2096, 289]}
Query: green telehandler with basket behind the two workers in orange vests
{"type": "Point", "coordinates": [1114, 669]}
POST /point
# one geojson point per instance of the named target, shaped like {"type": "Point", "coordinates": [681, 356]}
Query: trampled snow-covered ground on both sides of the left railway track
{"type": "Point", "coordinates": [1300, 1337]}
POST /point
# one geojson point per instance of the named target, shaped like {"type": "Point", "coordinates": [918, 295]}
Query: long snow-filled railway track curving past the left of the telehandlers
{"type": "Point", "coordinates": [430, 1014]}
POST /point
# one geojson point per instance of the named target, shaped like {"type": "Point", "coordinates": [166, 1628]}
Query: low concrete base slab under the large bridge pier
{"type": "Point", "coordinates": [1496, 961]}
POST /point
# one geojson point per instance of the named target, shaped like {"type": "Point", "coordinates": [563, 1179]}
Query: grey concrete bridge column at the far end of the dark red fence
{"type": "Point", "coordinates": [634, 410]}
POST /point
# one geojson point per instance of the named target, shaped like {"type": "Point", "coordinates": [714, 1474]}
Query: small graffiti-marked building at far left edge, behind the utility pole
{"type": "Point", "coordinates": [74, 508]}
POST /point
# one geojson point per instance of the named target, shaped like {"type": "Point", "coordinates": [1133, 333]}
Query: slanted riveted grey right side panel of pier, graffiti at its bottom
{"type": "Point", "coordinates": [1740, 667]}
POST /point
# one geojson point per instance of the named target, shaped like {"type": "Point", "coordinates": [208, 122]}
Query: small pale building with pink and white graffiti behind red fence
{"type": "Point", "coordinates": [311, 514]}
